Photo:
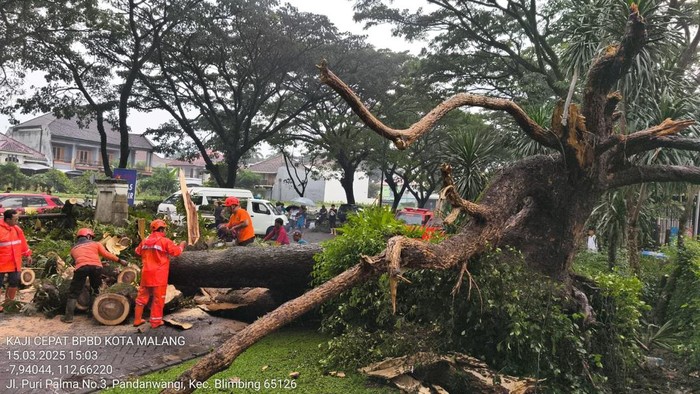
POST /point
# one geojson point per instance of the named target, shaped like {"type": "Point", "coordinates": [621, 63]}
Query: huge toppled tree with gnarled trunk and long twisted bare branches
{"type": "Point", "coordinates": [538, 205]}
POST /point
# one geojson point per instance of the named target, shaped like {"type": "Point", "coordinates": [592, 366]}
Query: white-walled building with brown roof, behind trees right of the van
{"type": "Point", "coordinates": [323, 188]}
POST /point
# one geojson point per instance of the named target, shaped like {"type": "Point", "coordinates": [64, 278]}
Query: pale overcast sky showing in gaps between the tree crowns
{"type": "Point", "coordinates": [339, 12]}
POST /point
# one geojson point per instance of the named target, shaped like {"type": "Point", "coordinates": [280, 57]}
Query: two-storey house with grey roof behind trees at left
{"type": "Point", "coordinates": [73, 149]}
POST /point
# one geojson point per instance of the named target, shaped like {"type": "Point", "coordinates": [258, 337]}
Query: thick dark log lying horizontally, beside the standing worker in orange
{"type": "Point", "coordinates": [285, 270]}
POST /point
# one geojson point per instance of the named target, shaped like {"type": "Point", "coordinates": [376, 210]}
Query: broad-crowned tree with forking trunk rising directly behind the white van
{"type": "Point", "coordinates": [234, 74]}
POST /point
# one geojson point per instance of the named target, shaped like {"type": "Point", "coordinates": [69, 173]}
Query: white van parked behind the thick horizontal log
{"type": "Point", "coordinates": [262, 213]}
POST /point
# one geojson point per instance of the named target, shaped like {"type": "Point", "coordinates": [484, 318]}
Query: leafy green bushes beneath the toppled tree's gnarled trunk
{"type": "Point", "coordinates": [516, 320]}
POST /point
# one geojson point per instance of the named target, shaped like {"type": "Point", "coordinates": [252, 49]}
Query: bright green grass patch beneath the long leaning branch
{"type": "Point", "coordinates": [265, 368]}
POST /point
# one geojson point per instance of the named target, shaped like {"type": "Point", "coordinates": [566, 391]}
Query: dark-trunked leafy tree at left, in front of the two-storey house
{"type": "Point", "coordinates": [91, 63]}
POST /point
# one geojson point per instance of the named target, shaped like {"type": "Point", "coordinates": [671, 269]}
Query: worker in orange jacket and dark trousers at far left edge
{"type": "Point", "coordinates": [13, 246]}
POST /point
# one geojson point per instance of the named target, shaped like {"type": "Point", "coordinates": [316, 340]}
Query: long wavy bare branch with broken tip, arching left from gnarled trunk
{"type": "Point", "coordinates": [404, 138]}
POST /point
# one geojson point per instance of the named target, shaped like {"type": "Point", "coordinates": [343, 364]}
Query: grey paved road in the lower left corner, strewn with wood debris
{"type": "Point", "coordinates": [39, 355]}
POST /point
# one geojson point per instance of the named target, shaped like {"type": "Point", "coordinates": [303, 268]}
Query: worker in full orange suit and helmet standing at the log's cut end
{"type": "Point", "coordinates": [155, 252]}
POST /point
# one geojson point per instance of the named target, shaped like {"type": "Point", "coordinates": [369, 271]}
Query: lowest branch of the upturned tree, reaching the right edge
{"type": "Point", "coordinates": [643, 174]}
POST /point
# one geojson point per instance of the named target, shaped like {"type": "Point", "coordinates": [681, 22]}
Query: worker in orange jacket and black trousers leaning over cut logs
{"type": "Point", "coordinates": [86, 255]}
